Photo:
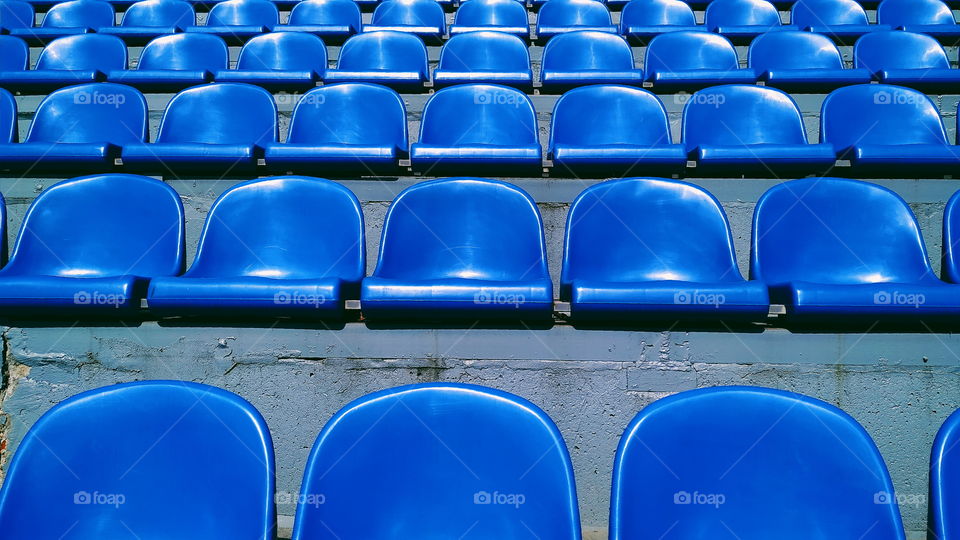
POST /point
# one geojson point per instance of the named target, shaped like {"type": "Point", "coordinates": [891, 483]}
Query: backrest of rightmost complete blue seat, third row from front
{"type": "Point", "coordinates": [880, 114]}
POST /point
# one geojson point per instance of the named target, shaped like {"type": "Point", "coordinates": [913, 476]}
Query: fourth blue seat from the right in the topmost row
{"type": "Point", "coordinates": [642, 20]}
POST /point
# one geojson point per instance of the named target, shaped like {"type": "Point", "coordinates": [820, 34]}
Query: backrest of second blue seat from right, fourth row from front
{"type": "Point", "coordinates": [793, 50]}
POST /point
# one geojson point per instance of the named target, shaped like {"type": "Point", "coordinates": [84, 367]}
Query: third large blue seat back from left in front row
{"type": "Point", "coordinates": [705, 462]}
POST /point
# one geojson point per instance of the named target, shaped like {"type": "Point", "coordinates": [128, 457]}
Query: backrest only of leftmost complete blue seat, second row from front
{"type": "Point", "coordinates": [102, 225]}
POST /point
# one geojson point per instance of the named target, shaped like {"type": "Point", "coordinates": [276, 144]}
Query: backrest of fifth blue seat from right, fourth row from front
{"type": "Point", "coordinates": [477, 51]}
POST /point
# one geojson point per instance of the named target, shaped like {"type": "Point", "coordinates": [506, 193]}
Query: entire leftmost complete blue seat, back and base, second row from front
{"type": "Point", "coordinates": [86, 249]}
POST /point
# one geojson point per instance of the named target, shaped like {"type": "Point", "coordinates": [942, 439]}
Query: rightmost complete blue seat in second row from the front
{"type": "Point", "coordinates": [834, 250]}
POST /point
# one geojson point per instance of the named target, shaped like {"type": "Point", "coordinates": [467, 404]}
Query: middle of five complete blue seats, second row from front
{"type": "Point", "coordinates": [460, 248]}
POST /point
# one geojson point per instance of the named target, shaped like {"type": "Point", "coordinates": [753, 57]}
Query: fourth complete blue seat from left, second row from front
{"type": "Point", "coordinates": [642, 249]}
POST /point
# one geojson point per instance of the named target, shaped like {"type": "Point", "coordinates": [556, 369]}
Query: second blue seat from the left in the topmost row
{"type": "Point", "coordinates": [67, 19]}
